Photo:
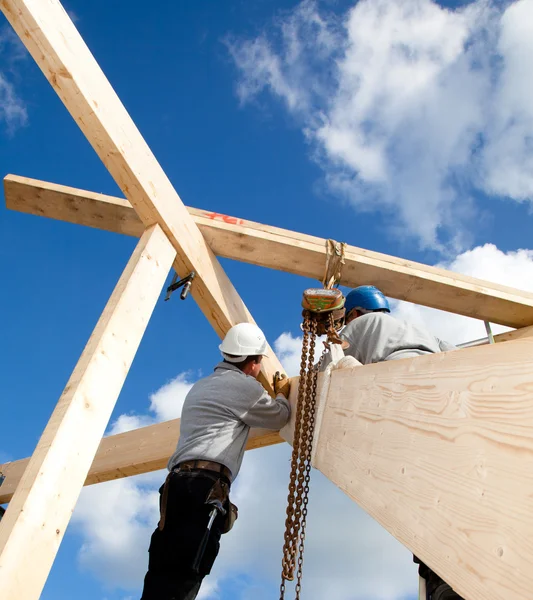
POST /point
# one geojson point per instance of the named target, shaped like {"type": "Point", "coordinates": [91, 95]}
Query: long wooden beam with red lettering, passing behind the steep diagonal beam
{"type": "Point", "coordinates": [297, 253]}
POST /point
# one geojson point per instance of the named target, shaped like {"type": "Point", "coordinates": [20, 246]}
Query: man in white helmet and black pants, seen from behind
{"type": "Point", "coordinates": [215, 422]}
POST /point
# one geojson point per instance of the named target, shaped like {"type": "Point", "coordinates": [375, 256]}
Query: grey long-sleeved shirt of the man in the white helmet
{"type": "Point", "coordinates": [218, 413]}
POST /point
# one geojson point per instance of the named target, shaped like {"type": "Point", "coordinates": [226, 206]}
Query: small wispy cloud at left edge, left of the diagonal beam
{"type": "Point", "coordinates": [13, 111]}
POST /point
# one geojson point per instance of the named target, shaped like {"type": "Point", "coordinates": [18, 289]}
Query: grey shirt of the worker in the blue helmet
{"type": "Point", "coordinates": [378, 336]}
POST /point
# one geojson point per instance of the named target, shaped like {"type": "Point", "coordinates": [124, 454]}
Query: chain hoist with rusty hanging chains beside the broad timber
{"type": "Point", "coordinates": [323, 314]}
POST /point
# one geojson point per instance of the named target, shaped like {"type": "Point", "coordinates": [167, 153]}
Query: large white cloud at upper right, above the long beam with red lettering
{"type": "Point", "coordinates": [408, 106]}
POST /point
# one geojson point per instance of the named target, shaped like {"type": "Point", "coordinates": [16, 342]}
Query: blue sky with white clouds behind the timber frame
{"type": "Point", "coordinates": [413, 141]}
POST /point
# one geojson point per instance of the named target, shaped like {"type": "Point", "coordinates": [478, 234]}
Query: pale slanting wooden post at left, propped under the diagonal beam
{"type": "Point", "coordinates": [38, 514]}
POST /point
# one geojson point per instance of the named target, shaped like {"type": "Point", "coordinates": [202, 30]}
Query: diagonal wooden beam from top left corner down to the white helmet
{"type": "Point", "coordinates": [58, 49]}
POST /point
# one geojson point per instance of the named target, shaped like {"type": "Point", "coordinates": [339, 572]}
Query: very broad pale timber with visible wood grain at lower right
{"type": "Point", "coordinates": [439, 450]}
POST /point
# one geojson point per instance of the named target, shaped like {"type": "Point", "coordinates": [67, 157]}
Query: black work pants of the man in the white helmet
{"type": "Point", "coordinates": [172, 551]}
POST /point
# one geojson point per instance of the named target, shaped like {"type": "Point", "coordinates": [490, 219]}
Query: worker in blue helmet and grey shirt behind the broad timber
{"type": "Point", "coordinates": [375, 335]}
